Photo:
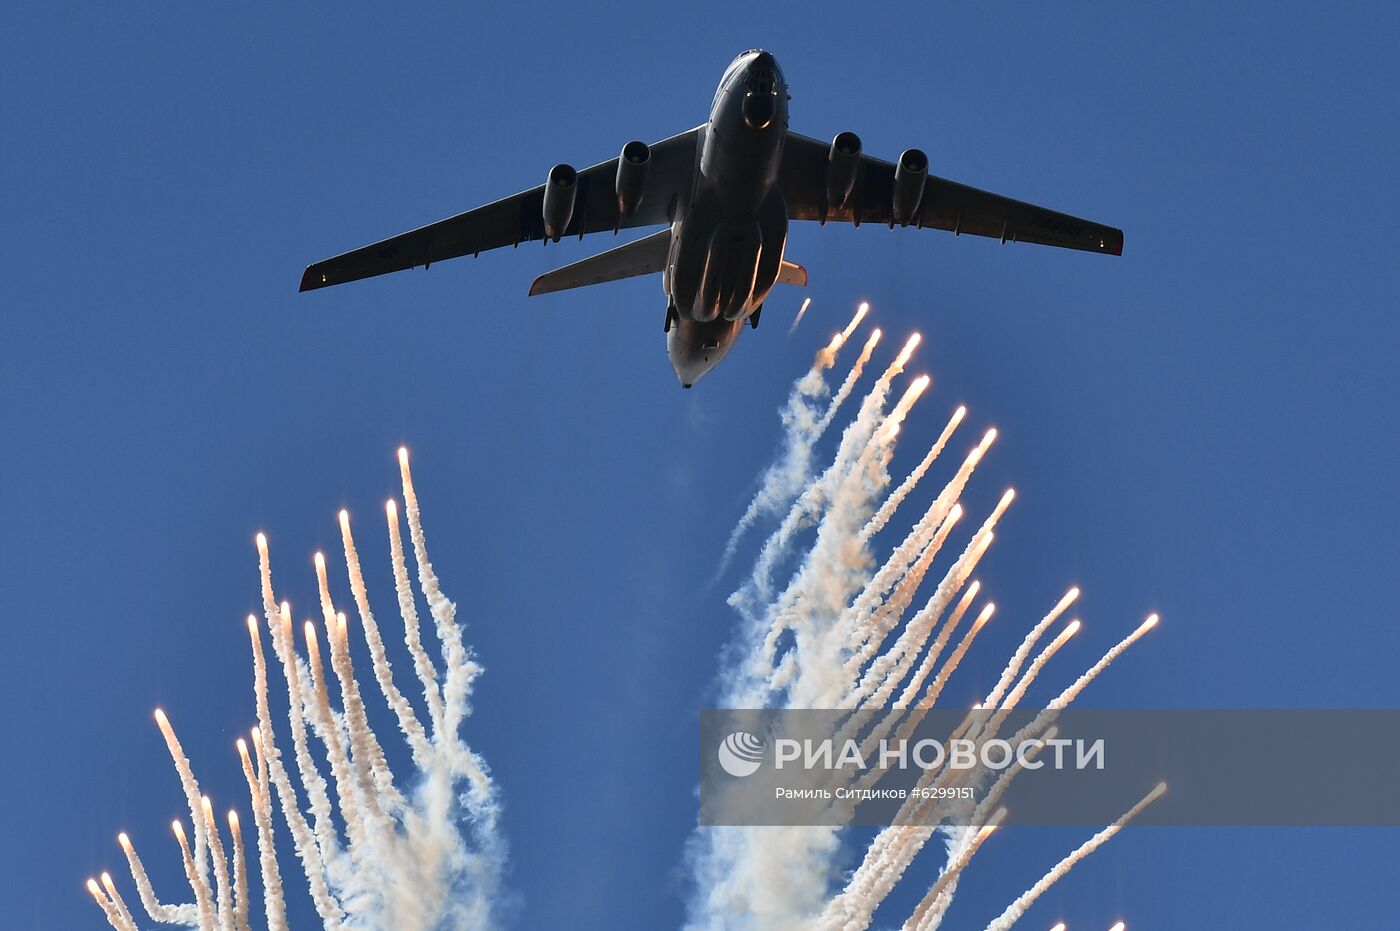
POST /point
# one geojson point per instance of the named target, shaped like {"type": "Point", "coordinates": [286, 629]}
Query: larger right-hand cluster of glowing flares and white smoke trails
{"type": "Point", "coordinates": [838, 633]}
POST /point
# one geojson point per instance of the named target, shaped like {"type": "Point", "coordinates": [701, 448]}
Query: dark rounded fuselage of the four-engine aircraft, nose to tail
{"type": "Point", "coordinates": [727, 241]}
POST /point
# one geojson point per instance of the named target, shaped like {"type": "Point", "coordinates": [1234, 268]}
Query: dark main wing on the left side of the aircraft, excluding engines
{"type": "Point", "coordinates": [520, 219]}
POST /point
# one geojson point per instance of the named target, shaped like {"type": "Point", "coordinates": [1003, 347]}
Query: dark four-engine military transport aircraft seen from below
{"type": "Point", "coordinates": [726, 191]}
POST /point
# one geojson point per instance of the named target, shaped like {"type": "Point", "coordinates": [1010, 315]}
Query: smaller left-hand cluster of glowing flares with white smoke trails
{"type": "Point", "coordinates": [419, 853]}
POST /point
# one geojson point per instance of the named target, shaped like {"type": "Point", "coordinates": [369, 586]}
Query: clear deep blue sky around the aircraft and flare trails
{"type": "Point", "coordinates": [1205, 428]}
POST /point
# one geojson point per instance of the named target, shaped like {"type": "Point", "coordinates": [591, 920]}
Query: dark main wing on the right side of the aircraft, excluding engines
{"type": "Point", "coordinates": [946, 205]}
